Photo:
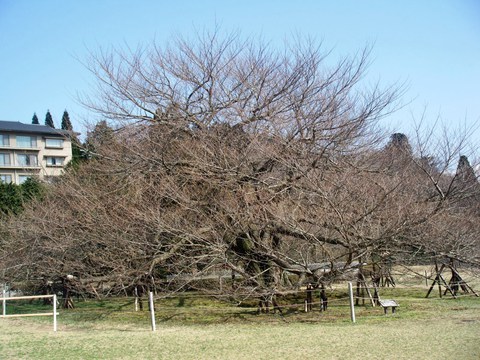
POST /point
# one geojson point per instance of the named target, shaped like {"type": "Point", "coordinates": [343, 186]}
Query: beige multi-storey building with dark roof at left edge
{"type": "Point", "coordinates": [28, 150]}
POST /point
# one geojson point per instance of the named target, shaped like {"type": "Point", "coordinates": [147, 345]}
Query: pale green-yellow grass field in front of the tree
{"type": "Point", "coordinates": [197, 328]}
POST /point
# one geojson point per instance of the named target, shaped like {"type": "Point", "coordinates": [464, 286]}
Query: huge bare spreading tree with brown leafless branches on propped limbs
{"type": "Point", "coordinates": [229, 156]}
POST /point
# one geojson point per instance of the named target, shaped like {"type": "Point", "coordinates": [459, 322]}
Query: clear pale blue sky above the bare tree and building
{"type": "Point", "coordinates": [432, 46]}
